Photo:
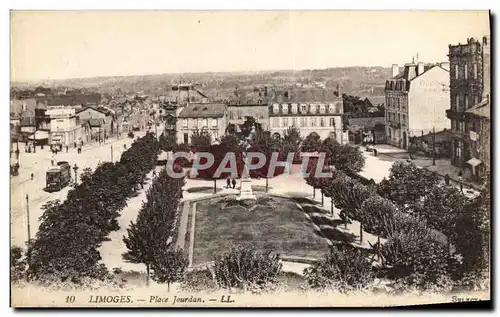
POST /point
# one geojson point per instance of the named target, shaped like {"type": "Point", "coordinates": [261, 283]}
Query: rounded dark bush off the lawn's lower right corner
{"type": "Point", "coordinates": [344, 268]}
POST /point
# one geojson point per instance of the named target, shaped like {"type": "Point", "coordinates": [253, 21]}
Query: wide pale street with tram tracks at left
{"type": "Point", "coordinates": [38, 163]}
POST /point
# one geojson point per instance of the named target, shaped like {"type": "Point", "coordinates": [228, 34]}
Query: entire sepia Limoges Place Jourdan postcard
{"type": "Point", "coordinates": [293, 158]}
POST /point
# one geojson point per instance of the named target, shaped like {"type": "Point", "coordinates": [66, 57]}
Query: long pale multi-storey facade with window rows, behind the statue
{"type": "Point", "coordinates": [325, 119]}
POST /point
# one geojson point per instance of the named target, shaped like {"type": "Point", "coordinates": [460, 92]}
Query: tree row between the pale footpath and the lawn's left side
{"type": "Point", "coordinates": [151, 239]}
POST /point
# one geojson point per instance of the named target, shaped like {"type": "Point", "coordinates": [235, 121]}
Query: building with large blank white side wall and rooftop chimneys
{"type": "Point", "coordinates": [416, 101]}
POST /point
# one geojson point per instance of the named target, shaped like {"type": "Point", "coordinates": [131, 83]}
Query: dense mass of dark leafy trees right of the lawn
{"type": "Point", "coordinates": [412, 210]}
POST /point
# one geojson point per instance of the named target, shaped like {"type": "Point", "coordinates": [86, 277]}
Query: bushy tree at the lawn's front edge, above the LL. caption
{"type": "Point", "coordinates": [244, 267]}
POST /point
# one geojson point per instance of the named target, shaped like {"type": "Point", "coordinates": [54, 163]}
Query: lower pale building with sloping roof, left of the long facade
{"type": "Point", "coordinates": [211, 117]}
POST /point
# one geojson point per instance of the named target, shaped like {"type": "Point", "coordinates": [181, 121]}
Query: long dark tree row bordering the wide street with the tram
{"type": "Point", "coordinates": [66, 246]}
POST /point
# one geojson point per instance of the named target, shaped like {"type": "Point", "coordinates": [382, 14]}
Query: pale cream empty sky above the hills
{"type": "Point", "coordinates": [75, 44]}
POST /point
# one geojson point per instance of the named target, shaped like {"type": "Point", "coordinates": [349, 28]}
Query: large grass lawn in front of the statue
{"type": "Point", "coordinates": [269, 223]}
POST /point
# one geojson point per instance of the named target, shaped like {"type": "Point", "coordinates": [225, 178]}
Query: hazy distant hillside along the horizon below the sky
{"type": "Point", "coordinates": [353, 80]}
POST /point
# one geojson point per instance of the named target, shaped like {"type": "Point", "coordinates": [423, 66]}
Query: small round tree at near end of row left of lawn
{"type": "Point", "coordinates": [169, 266]}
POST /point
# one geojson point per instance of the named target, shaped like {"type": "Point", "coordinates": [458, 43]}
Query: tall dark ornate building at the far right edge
{"type": "Point", "coordinates": [469, 90]}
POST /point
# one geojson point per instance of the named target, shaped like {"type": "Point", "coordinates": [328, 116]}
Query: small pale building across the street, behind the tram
{"type": "Point", "coordinates": [63, 127]}
